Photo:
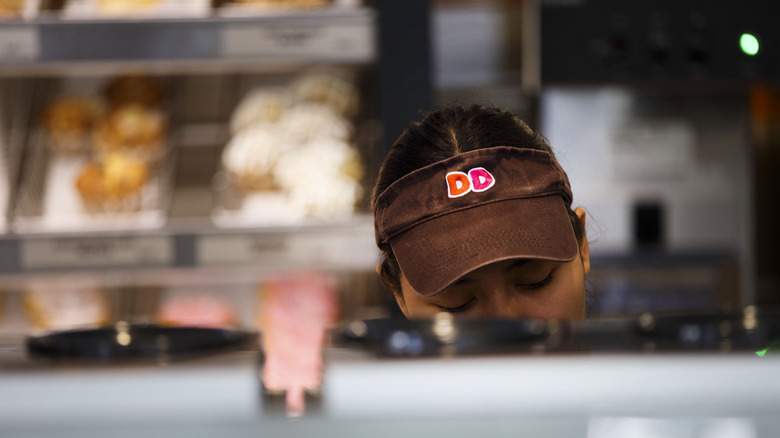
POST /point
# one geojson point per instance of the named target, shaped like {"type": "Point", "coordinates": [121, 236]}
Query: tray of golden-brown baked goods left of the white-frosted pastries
{"type": "Point", "coordinates": [64, 139]}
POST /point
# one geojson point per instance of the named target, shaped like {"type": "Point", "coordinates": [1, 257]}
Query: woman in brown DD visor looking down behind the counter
{"type": "Point", "coordinates": [473, 216]}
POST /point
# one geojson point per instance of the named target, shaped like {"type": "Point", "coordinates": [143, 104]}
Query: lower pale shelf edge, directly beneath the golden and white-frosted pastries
{"type": "Point", "coordinates": [346, 245]}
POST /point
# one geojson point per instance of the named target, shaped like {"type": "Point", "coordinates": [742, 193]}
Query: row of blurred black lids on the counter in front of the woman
{"type": "Point", "coordinates": [751, 330]}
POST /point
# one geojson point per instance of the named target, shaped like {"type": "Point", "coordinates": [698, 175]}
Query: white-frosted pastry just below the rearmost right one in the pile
{"type": "Point", "coordinates": [309, 121]}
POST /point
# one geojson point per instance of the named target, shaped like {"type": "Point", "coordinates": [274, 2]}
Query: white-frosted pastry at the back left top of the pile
{"type": "Point", "coordinates": [260, 105]}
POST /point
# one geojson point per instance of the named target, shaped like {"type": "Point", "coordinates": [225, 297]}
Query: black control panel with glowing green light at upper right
{"type": "Point", "coordinates": [690, 41]}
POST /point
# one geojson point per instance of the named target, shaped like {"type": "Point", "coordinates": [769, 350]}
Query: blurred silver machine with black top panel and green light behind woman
{"type": "Point", "coordinates": [659, 109]}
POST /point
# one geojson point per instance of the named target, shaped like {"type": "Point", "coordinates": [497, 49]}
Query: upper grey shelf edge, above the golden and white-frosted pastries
{"type": "Point", "coordinates": [50, 43]}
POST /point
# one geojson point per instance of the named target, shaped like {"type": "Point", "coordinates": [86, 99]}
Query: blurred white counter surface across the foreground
{"type": "Point", "coordinates": [587, 395]}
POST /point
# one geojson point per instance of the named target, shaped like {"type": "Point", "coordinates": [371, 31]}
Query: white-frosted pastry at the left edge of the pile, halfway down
{"type": "Point", "coordinates": [251, 155]}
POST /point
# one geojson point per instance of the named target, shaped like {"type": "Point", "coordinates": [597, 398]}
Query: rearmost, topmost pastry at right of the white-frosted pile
{"type": "Point", "coordinates": [331, 87]}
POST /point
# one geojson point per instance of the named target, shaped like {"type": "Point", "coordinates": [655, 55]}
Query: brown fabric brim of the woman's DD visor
{"type": "Point", "coordinates": [436, 253]}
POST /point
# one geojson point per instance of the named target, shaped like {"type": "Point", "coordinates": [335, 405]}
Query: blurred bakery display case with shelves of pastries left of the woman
{"type": "Point", "coordinates": [154, 150]}
